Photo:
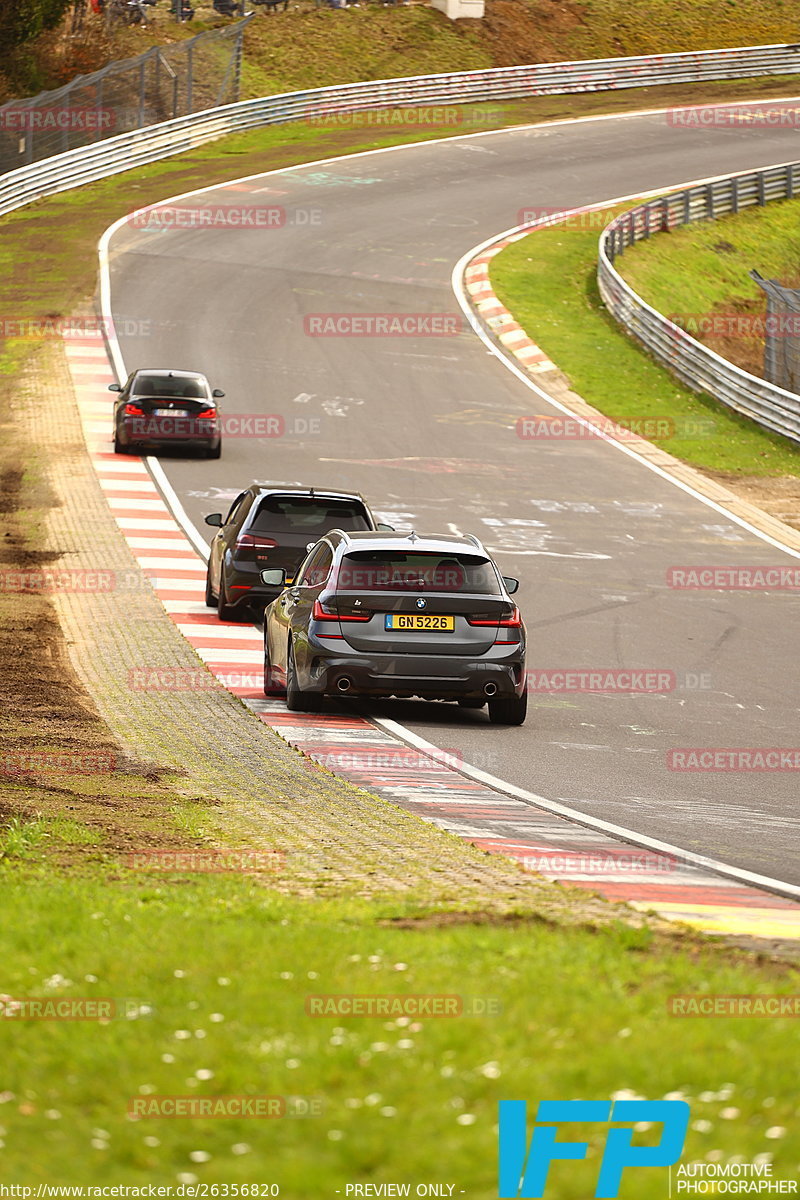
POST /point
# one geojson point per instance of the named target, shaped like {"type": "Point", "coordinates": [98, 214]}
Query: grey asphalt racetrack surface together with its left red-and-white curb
{"type": "Point", "coordinates": [426, 429]}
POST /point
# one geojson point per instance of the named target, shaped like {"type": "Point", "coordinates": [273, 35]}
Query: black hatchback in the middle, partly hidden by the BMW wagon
{"type": "Point", "coordinates": [273, 527]}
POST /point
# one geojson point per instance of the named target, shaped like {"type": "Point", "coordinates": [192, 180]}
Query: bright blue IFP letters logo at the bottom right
{"type": "Point", "coordinates": [524, 1173]}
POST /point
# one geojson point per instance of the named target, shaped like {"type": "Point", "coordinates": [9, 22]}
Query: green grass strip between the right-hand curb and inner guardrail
{"type": "Point", "coordinates": [610, 370]}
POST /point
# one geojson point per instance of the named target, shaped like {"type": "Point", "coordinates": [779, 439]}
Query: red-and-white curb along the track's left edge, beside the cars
{"type": "Point", "coordinates": [426, 783]}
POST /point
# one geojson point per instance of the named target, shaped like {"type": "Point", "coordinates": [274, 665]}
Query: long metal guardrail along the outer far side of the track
{"type": "Point", "coordinates": [137, 148]}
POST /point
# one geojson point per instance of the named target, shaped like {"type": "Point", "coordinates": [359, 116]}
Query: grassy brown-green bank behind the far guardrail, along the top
{"type": "Point", "coordinates": [311, 46]}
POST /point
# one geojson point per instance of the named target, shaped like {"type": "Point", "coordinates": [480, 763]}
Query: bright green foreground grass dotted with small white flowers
{"type": "Point", "coordinates": [210, 979]}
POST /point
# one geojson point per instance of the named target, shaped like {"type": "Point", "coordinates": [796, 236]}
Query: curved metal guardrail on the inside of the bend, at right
{"type": "Point", "coordinates": [695, 364]}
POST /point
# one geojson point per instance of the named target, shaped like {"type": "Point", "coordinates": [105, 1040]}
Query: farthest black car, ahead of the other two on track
{"type": "Point", "coordinates": [159, 407]}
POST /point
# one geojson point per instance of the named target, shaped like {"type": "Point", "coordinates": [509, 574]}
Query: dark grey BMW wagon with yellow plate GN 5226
{"type": "Point", "coordinates": [398, 615]}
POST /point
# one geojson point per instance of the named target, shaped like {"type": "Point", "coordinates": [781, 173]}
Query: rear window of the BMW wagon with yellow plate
{"type": "Point", "coordinates": [399, 572]}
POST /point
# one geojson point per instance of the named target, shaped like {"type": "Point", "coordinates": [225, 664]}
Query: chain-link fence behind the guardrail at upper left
{"type": "Point", "coordinates": [166, 82]}
